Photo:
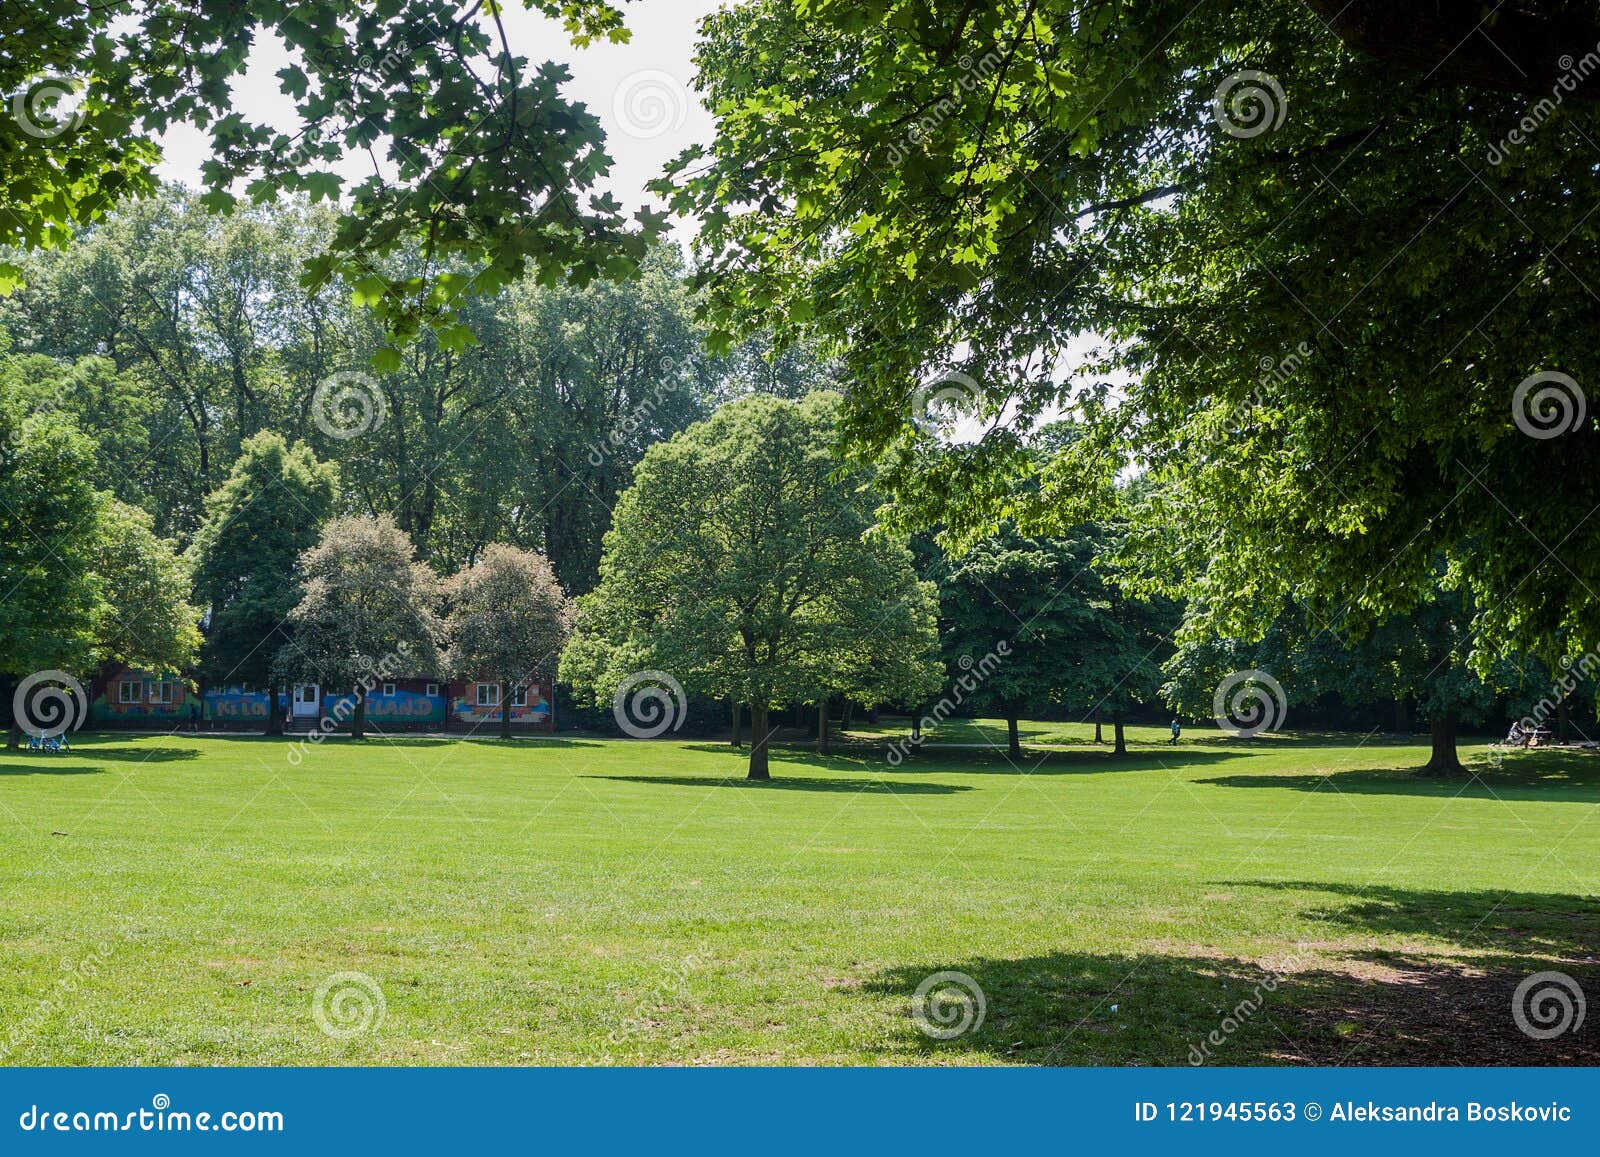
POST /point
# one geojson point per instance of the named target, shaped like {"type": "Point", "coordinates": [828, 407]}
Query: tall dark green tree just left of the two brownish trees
{"type": "Point", "coordinates": [247, 559]}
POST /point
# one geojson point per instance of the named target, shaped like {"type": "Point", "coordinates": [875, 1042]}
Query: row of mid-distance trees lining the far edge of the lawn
{"type": "Point", "coordinates": [743, 559]}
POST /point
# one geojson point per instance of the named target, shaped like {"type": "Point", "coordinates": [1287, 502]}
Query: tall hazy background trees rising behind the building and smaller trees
{"type": "Point", "coordinates": [177, 337]}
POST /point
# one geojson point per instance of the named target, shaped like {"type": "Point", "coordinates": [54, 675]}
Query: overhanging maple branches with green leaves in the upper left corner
{"type": "Point", "coordinates": [478, 158]}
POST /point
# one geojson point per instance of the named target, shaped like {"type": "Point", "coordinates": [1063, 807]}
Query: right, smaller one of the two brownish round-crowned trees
{"type": "Point", "coordinates": [508, 622]}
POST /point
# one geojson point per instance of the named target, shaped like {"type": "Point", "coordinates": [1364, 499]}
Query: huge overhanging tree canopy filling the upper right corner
{"type": "Point", "coordinates": [1326, 252]}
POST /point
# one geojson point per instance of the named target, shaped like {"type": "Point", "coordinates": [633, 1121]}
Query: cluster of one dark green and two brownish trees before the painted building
{"type": "Point", "coordinates": [297, 595]}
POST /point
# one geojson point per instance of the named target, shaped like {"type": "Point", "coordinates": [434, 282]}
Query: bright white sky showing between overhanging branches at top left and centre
{"type": "Point", "coordinates": [639, 90]}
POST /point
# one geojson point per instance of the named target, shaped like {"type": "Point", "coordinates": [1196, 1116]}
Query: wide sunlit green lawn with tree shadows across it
{"type": "Point", "coordinates": [180, 900]}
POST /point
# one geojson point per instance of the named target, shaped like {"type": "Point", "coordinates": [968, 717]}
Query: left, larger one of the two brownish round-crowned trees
{"type": "Point", "coordinates": [369, 611]}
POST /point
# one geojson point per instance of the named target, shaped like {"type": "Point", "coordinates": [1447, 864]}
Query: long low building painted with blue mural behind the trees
{"type": "Point", "coordinates": [143, 700]}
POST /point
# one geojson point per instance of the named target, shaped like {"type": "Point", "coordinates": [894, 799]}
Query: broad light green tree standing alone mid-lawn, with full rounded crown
{"type": "Point", "coordinates": [745, 564]}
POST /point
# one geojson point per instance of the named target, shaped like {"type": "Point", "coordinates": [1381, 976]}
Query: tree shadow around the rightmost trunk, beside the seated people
{"type": "Point", "coordinates": [1551, 777]}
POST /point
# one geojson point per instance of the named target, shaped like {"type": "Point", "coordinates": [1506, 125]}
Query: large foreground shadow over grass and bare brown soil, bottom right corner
{"type": "Point", "coordinates": [1086, 1009]}
